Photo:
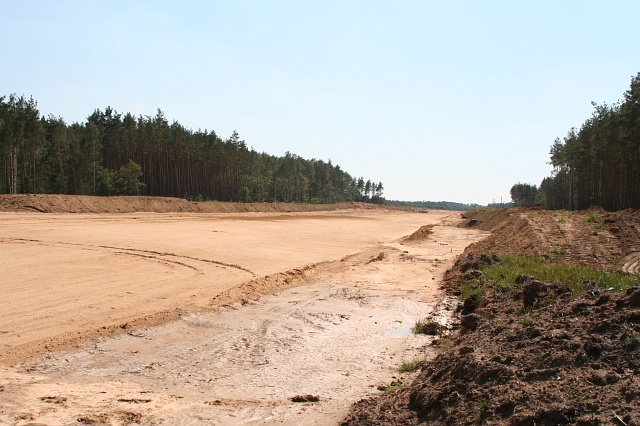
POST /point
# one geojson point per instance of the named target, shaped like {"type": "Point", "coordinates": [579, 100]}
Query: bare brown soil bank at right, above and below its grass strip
{"type": "Point", "coordinates": [569, 360]}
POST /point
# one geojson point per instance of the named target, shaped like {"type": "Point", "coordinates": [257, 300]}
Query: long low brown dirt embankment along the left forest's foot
{"type": "Point", "coordinates": [54, 203]}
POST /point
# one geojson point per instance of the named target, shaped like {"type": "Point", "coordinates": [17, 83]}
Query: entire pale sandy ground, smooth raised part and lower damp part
{"type": "Point", "coordinates": [168, 318]}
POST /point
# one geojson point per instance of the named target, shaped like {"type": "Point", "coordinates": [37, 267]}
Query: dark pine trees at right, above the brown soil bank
{"type": "Point", "coordinates": [598, 164]}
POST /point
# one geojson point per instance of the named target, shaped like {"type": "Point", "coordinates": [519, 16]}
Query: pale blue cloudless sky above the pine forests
{"type": "Point", "coordinates": [440, 101]}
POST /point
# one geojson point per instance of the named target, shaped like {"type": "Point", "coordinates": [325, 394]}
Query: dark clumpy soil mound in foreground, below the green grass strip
{"type": "Point", "coordinates": [577, 363]}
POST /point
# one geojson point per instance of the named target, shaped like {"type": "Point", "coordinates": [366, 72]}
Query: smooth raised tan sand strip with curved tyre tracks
{"type": "Point", "coordinates": [66, 277]}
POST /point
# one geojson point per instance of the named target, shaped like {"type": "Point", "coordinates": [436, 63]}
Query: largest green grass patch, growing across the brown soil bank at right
{"type": "Point", "coordinates": [502, 276]}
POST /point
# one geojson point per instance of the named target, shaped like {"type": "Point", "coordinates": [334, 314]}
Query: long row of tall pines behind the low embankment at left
{"type": "Point", "coordinates": [113, 153]}
